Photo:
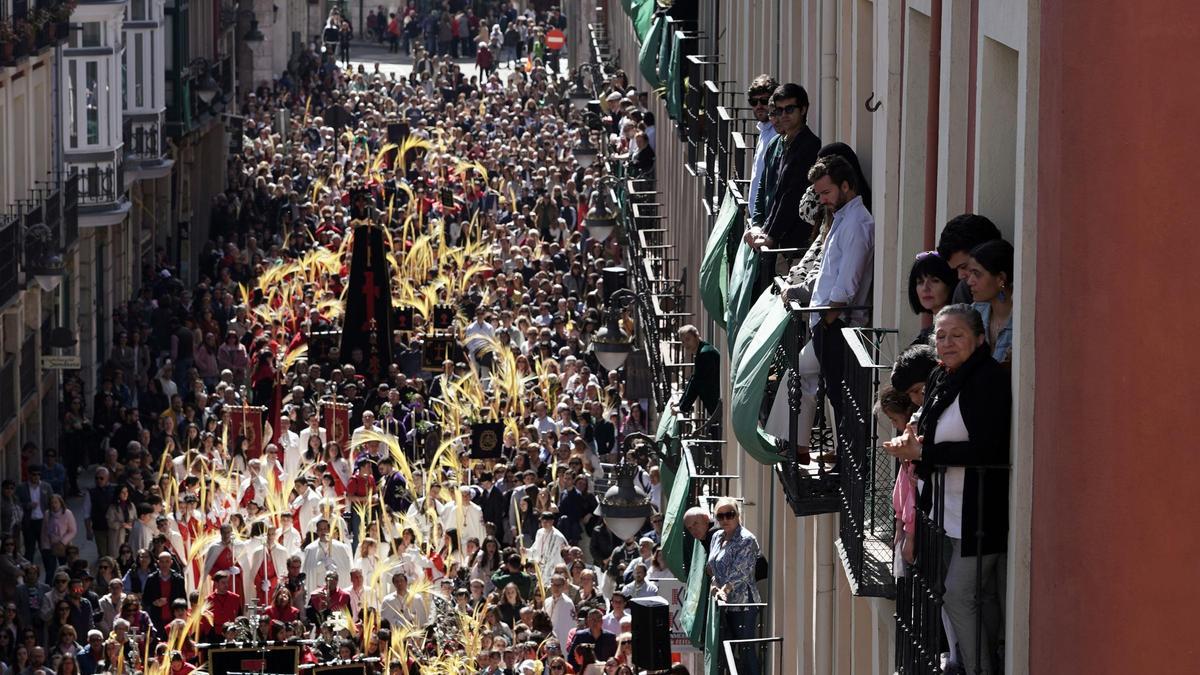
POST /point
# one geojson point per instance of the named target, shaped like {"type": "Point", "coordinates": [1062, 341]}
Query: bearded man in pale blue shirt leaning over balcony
{"type": "Point", "coordinates": [845, 280]}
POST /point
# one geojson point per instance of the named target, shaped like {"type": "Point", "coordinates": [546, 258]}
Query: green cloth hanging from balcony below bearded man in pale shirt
{"type": "Point", "coordinates": [753, 356]}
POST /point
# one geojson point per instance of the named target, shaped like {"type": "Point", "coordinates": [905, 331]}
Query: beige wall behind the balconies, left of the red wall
{"type": "Point", "coordinates": [845, 53]}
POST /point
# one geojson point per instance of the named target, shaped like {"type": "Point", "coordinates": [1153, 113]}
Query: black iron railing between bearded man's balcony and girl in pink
{"type": "Point", "coordinates": [868, 523]}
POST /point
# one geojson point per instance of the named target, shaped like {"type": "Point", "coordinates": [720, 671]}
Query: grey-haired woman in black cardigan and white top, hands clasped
{"type": "Point", "coordinates": [965, 423]}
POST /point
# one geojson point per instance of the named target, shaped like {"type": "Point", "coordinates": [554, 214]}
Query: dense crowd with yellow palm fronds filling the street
{"type": "Point", "coordinates": [242, 480]}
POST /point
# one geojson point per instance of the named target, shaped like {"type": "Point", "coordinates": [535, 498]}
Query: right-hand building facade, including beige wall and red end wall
{"type": "Point", "coordinates": [999, 109]}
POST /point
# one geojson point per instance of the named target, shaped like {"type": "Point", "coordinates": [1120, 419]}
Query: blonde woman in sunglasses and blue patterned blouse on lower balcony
{"type": "Point", "coordinates": [733, 557]}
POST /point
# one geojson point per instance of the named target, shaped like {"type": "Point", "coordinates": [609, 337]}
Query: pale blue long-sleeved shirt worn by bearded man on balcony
{"type": "Point", "coordinates": [848, 261]}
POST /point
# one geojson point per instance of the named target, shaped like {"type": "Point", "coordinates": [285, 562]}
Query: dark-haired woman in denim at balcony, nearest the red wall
{"type": "Point", "coordinates": [991, 279]}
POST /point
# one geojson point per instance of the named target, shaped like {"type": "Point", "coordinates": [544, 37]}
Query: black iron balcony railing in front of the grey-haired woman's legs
{"type": "Point", "coordinates": [921, 594]}
